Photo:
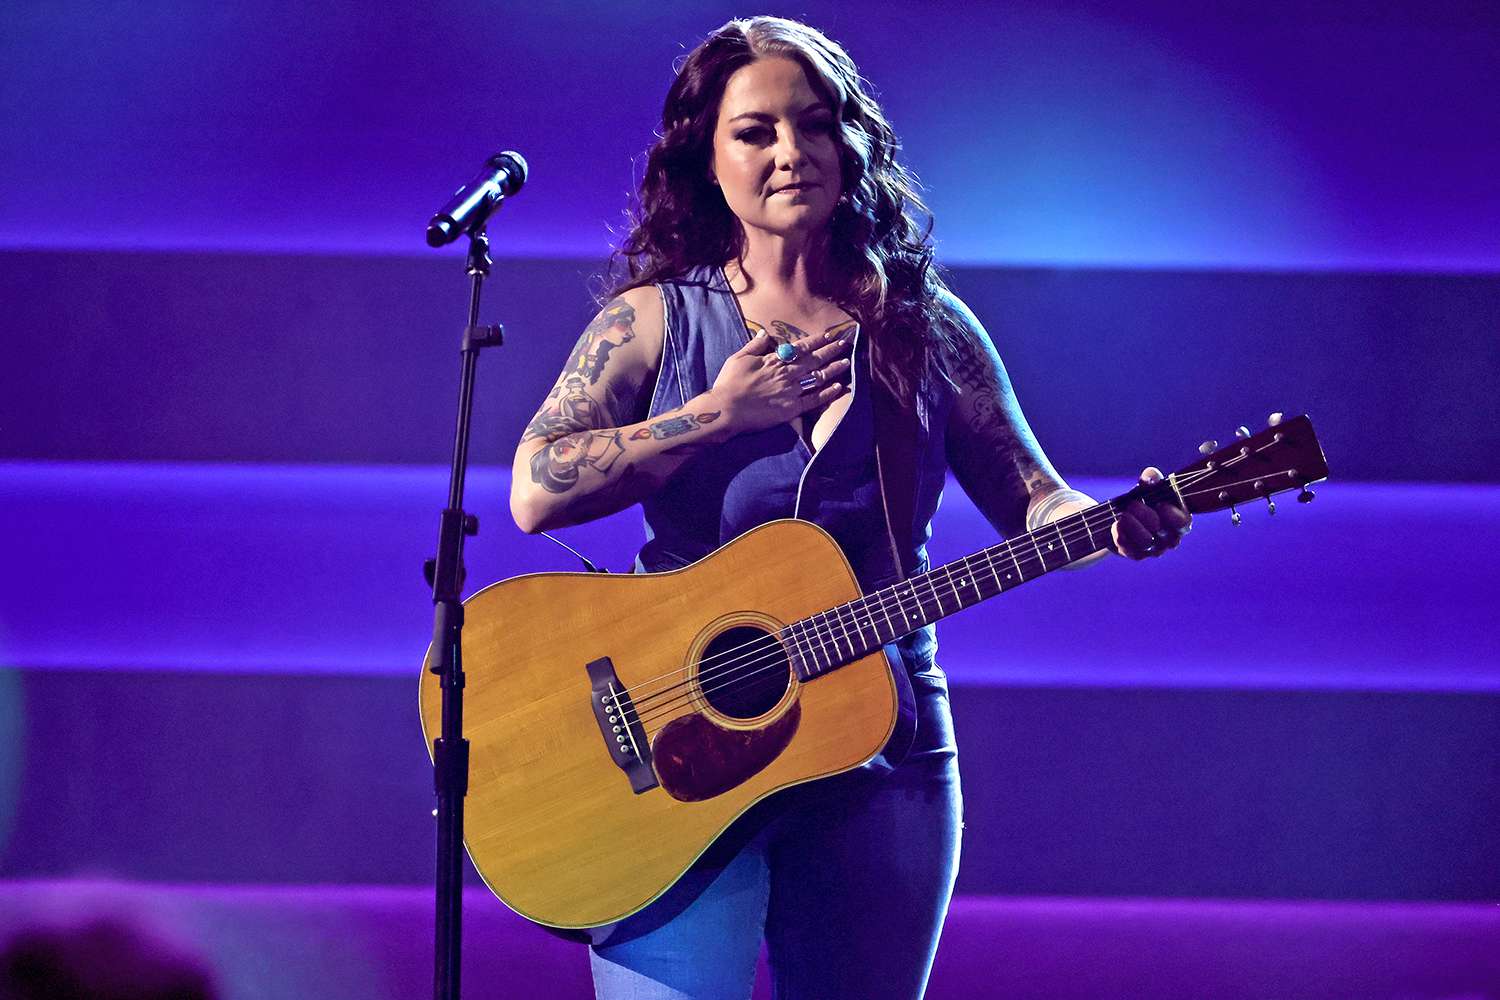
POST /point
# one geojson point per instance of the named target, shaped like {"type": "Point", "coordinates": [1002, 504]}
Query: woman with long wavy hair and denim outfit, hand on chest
{"type": "Point", "coordinates": [784, 349]}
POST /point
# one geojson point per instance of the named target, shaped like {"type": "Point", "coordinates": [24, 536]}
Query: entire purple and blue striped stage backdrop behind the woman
{"type": "Point", "coordinates": [227, 370]}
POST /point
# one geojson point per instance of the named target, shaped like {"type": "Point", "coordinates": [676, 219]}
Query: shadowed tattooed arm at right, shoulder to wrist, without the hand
{"type": "Point", "coordinates": [991, 448]}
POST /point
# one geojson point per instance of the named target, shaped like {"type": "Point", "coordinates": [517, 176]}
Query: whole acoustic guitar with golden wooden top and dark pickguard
{"type": "Point", "coordinates": [619, 725]}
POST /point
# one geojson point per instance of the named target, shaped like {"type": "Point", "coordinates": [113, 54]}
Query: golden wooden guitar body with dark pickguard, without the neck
{"type": "Point", "coordinates": [553, 821]}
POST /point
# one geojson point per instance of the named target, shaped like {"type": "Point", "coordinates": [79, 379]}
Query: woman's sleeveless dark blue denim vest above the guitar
{"type": "Point", "coordinates": [724, 493]}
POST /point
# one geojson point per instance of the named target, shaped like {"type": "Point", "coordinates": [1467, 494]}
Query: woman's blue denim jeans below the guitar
{"type": "Point", "coordinates": [847, 879]}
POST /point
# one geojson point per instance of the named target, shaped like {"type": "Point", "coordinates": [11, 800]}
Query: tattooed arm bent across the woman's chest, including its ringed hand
{"type": "Point", "coordinates": [583, 458]}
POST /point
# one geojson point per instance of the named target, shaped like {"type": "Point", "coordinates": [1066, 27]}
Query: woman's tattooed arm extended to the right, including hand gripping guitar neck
{"type": "Point", "coordinates": [1003, 469]}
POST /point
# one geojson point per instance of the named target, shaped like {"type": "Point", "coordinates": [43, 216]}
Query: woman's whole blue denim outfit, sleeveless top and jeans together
{"type": "Point", "coordinates": [847, 879]}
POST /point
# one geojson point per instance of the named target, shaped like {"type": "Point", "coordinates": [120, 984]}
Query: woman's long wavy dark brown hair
{"type": "Point", "coordinates": [880, 236]}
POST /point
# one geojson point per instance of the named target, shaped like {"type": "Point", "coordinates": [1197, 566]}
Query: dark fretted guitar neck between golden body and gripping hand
{"type": "Point", "coordinates": [848, 632]}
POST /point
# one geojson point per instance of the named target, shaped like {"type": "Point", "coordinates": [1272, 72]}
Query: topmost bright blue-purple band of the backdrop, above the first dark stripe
{"type": "Point", "coordinates": [1282, 136]}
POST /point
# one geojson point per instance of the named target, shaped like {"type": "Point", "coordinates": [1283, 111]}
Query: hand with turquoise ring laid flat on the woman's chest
{"type": "Point", "coordinates": [758, 391]}
